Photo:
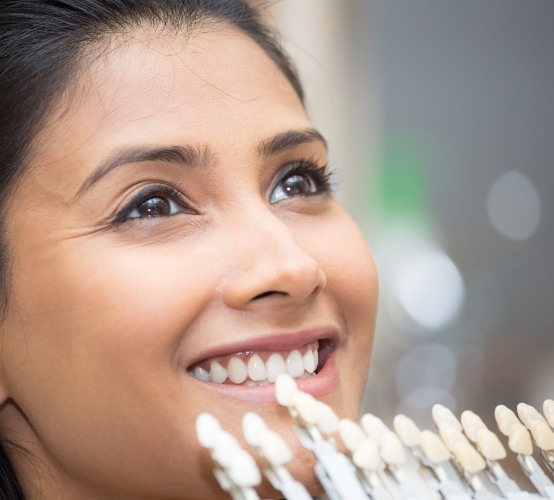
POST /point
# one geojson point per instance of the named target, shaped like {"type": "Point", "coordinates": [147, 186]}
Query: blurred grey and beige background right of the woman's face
{"type": "Point", "coordinates": [440, 116]}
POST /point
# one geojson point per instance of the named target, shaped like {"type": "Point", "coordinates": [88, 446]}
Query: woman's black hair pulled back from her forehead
{"type": "Point", "coordinates": [43, 43]}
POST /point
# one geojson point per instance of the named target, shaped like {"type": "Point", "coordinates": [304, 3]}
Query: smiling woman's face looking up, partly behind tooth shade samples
{"type": "Point", "coordinates": [175, 216]}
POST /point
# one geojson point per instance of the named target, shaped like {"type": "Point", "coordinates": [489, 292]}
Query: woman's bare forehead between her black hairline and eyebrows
{"type": "Point", "coordinates": [150, 86]}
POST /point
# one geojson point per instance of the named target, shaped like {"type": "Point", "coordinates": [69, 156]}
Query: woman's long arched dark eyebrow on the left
{"type": "Point", "coordinates": [183, 155]}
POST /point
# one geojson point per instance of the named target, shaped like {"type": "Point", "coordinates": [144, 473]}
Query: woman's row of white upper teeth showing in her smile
{"type": "Point", "coordinates": [251, 369]}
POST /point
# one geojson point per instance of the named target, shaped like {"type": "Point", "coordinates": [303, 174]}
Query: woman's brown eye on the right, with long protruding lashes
{"type": "Point", "coordinates": [301, 179]}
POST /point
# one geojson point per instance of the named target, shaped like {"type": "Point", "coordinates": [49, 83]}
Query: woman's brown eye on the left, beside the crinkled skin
{"type": "Point", "coordinates": [154, 202]}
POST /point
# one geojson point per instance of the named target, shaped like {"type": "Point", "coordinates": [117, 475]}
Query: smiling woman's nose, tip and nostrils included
{"type": "Point", "coordinates": [269, 263]}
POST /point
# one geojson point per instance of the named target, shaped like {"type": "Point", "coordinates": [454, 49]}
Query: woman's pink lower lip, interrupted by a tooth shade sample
{"type": "Point", "coordinates": [320, 385]}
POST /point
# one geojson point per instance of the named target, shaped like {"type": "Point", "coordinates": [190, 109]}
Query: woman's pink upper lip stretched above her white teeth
{"type": "Point", "coordinates": [285, 341]}
